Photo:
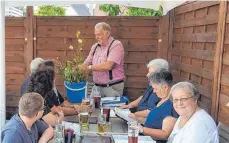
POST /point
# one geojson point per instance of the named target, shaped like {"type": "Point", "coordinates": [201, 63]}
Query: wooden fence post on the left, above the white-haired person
{"type": "Point", "coordinates": [28, 51]}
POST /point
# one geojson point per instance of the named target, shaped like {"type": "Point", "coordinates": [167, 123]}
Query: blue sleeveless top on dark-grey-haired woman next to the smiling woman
{"type": "Point", "coordinates": [158, 114]}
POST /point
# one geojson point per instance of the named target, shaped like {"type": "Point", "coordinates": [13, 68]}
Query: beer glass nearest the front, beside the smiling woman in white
{"type": "Point", "coordinates": [133, 130]}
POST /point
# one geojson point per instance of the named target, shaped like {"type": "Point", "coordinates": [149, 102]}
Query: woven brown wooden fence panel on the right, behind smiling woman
{"type": "Point", "coordinates": [193, 46]}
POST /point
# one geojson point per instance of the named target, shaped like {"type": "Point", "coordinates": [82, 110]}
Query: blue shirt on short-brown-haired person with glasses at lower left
{"type": "Point", "coordinates": [15, 131]}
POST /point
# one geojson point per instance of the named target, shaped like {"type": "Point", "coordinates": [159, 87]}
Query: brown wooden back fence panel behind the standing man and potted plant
{"type": "Point", "coordinates": [139, 36]}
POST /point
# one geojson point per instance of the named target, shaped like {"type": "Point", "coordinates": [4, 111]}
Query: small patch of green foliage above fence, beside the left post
{"type": "Point", "coordinates": [51, 10]}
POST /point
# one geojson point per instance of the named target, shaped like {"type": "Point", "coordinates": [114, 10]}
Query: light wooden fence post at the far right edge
{"type": "Point", "coordinates": [218, 59]}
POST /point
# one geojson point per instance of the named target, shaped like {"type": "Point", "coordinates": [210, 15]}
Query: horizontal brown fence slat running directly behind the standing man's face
{"type": "Point", "coordinates": [120, 32]}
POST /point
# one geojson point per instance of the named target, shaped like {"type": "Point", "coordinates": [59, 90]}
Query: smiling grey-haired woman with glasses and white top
{"type": "Point", "coordinates": [194, 124]}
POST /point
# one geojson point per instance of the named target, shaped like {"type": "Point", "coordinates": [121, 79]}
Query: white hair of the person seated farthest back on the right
{"type": "Point", "coordinates": [158, 64]}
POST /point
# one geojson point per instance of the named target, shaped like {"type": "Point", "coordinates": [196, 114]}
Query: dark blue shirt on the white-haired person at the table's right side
{"type": "Point", "coordinates": [149, 100]}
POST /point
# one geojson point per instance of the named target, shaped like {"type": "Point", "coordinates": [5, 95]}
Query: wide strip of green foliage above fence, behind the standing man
{"type": "Point", "coordinates": [114, 10]}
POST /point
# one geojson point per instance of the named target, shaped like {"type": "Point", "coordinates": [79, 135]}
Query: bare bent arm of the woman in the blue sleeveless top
{"type": "Point", "coordinates": [167, 127]}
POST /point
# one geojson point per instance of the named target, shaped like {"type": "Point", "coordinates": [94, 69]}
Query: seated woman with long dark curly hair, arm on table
{"type": "Point", "coordinates": [41, 82]}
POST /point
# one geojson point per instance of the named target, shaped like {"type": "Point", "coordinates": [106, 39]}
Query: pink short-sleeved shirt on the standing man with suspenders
{"type": "Point", "coordinates": [116, 55]}
